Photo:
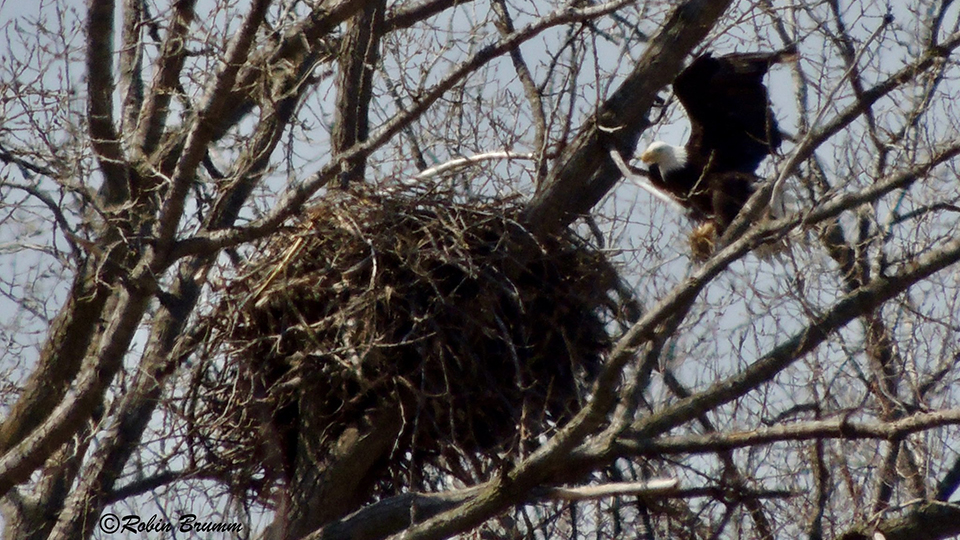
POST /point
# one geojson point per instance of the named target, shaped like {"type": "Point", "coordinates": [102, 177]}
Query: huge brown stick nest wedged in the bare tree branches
{"type": "Point", "coordinates": [482, 336]}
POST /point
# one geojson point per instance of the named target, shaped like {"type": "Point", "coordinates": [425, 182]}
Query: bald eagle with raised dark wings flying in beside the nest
{"type": "Point", "coordinates": [732, 129]}
